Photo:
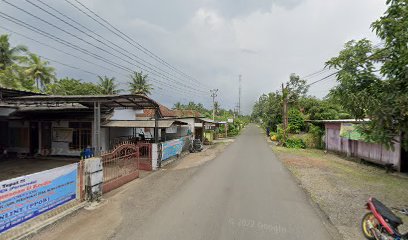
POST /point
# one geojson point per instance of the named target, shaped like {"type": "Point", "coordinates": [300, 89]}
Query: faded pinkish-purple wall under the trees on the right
{"type": "Point", "coordinates": [368, 151]}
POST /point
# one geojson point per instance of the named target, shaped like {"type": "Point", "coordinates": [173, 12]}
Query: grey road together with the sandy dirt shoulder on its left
{"type": "Point", "coordinates": [244, 193]}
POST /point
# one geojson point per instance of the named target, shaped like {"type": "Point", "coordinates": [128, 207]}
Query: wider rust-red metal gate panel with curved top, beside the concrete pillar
{"type": "Point", "coordinates": [120, 166]}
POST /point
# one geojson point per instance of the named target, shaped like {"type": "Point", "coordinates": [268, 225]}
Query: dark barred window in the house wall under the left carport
{"type": "Point", "coordinates": [81, 135]}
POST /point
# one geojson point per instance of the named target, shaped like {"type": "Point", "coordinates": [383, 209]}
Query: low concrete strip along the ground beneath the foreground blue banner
{"type": "Point", "coordinates": [33, 230]}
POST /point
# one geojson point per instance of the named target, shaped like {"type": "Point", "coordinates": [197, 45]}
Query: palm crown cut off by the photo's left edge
{"type": "Point", "coordinates": [8, 54]}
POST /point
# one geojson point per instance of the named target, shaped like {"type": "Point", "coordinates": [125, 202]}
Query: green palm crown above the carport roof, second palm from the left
{"type": "Point", "coordinates": [39, 71]}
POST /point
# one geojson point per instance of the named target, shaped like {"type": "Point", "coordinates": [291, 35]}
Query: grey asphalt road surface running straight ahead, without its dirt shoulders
{"type": "Point", "coordinates": [245, 193]}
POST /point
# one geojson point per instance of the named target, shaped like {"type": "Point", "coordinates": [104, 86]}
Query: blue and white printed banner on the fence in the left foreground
{"type": "Point", "coordinates": [26, 197]}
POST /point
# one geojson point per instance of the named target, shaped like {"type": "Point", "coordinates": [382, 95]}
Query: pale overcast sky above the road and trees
{"type": "Point", "coordinates": [214, 41]}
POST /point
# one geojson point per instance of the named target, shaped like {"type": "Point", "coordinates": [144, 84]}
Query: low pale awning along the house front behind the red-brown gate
{"type": "Point", "coordinates": [141, 123]}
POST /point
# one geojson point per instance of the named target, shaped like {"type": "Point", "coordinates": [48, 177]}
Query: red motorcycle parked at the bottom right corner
{"type": "Point", "coordinates": [380, 223]}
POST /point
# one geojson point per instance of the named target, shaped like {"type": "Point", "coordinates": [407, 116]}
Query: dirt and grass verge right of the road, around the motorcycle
{"type": "Point", "coordinates": [341, 187]}
